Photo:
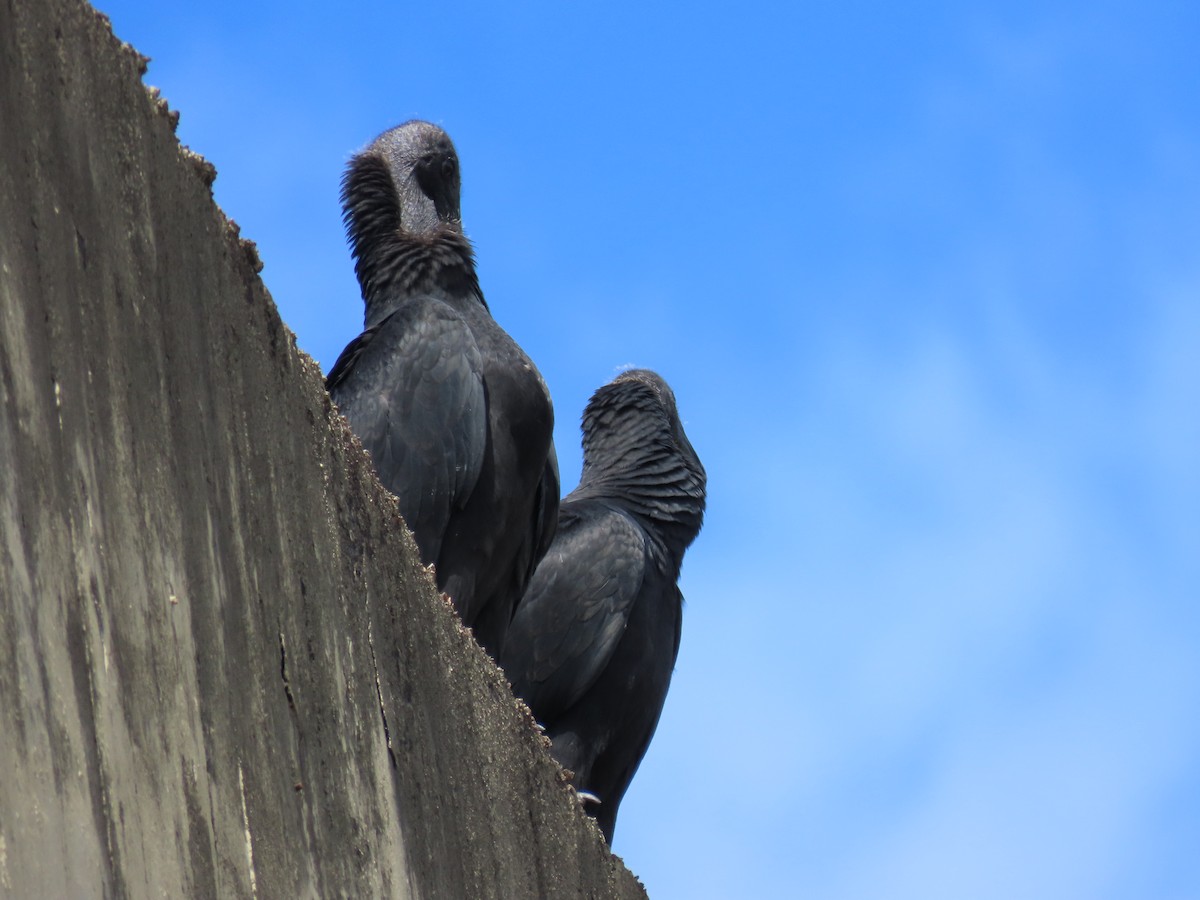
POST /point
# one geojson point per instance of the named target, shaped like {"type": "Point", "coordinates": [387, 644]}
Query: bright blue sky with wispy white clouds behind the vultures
{"type": "Point", "coordinates": [927, 284]}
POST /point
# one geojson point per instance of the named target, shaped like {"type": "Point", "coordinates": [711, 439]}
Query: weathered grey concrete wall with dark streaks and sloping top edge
{"type": "Point", "coordinates": [223, 673]}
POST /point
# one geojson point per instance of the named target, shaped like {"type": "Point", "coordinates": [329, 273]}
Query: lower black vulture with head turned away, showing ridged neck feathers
{"type": "Point", "coordinates": [596, 637]}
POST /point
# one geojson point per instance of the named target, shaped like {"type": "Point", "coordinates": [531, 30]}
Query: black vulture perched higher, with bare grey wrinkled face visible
{"type": "Point", "coordinates": [455, 416]}
